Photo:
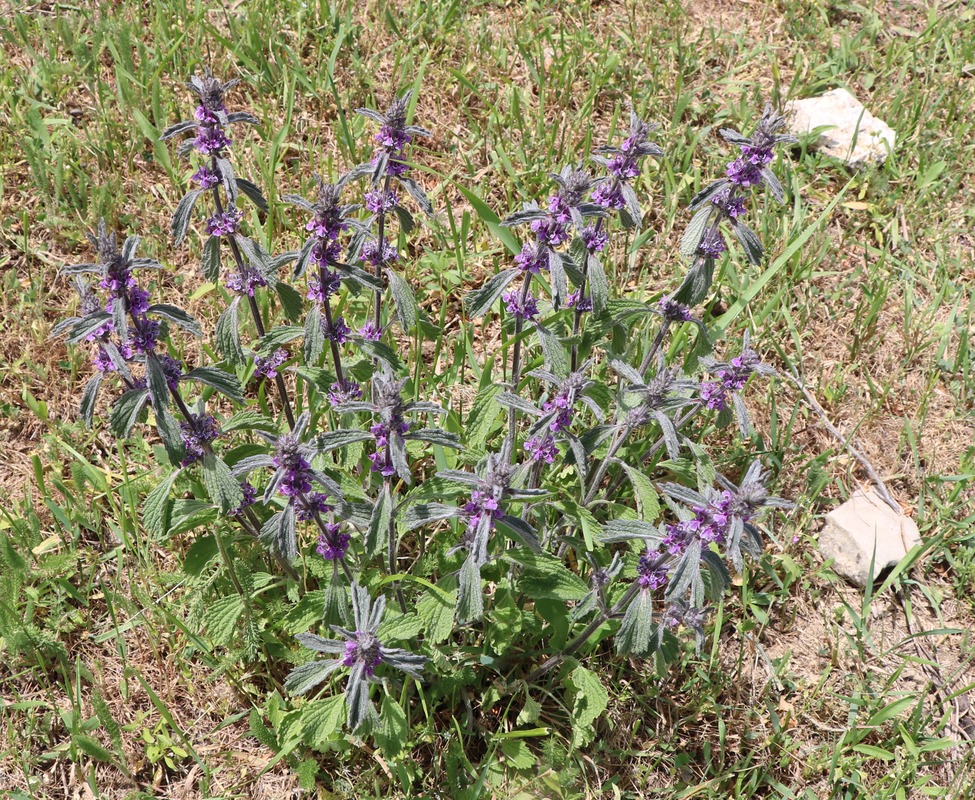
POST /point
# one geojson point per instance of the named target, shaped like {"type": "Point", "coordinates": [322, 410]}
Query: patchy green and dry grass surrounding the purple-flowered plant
{"type": "Point", "coordinates": [808, 690]}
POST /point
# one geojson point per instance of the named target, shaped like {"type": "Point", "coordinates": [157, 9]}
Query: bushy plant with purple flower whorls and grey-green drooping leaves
{"type": "Point", "coordinates": [590, 509]}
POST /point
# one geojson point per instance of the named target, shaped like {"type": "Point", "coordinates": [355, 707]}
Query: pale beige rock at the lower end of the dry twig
{"type": "Point", "coordinates": [866, 529]}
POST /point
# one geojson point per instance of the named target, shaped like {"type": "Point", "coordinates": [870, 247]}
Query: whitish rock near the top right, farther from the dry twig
{"type": "Point", "coordinates": [854, 136]}
